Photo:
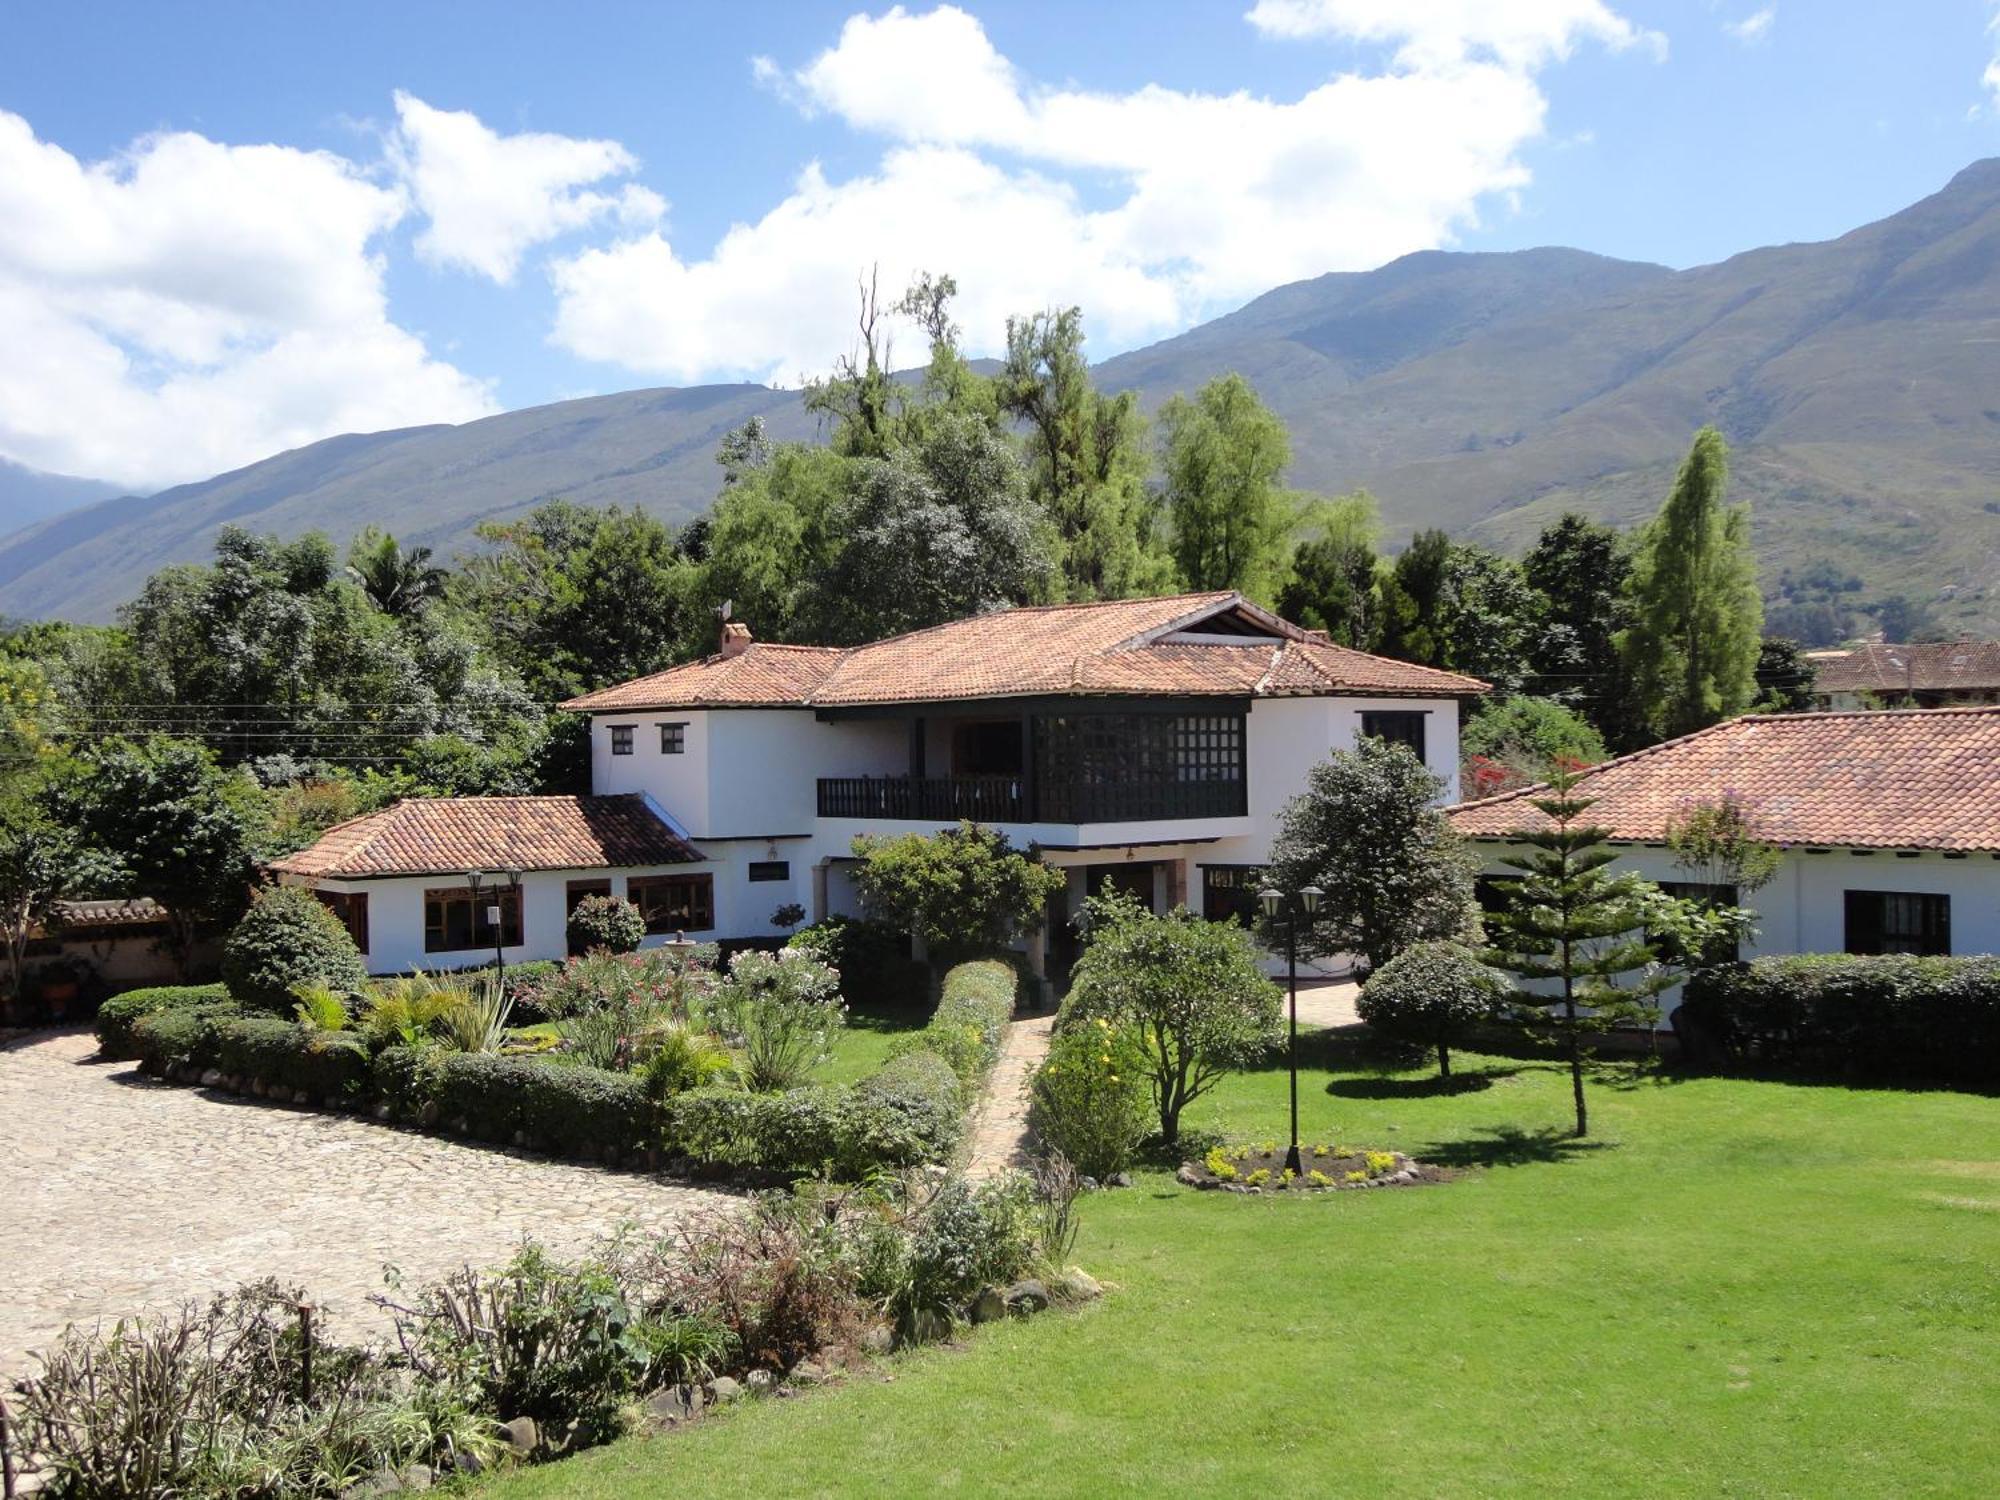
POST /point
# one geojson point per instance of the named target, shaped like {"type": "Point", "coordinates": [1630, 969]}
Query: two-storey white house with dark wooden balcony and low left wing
{"type": "Point", "coordinates": [1139, 743]}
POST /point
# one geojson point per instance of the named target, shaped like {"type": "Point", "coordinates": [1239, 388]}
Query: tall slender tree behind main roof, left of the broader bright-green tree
{"type": "Point", "coordinates": [1087, 463]}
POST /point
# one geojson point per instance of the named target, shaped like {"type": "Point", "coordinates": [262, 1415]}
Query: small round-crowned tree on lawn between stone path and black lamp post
{"type": "Point", "coordinates": [1189, 991]}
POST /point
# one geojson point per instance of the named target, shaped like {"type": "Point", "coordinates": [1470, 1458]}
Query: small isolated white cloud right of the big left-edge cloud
{"type": "Point", "coordinates": [489, 199]}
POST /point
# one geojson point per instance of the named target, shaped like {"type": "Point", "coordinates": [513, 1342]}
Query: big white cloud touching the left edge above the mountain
{"type": "Point", "coordinates": [191, 307]}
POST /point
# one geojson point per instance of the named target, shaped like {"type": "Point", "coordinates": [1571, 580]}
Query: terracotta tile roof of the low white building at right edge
{"type": "Point", "coordinates": [1893, 779]}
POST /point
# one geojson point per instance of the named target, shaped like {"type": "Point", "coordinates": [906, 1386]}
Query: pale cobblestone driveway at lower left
{"type": "Point", "coordinates": [121, 1195]}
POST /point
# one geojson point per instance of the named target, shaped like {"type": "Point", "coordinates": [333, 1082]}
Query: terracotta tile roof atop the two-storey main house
{"type": "Point", "coordinates": [1117, 647]}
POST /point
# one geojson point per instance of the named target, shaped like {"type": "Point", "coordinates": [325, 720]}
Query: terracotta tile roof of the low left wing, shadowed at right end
{"type": "Point", "coordinates": [493, 833]}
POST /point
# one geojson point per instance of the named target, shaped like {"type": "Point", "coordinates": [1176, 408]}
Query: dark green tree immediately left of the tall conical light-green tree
{"type": "Point", "coordinates": [1581, 575]}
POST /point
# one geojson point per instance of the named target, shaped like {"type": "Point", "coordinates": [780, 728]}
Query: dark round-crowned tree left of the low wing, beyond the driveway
{"type": "Point", "coordinates": [167, 823]}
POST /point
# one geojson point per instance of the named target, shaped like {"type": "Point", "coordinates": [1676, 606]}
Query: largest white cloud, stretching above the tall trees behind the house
{"type": "Point", "coordinates": [1149, 209]}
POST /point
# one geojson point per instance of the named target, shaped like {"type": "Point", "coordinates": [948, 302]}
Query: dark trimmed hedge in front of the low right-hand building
{"type": "Point", "coordinates": [1897, 1019]}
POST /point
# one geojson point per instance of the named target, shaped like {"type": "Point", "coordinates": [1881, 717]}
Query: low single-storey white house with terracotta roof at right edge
{"type": "Point", "coordinates": [1889, 825]}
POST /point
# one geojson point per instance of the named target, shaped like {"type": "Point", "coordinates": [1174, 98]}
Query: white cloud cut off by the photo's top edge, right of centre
{"type": "Point", "coordinates": [1441, 33]}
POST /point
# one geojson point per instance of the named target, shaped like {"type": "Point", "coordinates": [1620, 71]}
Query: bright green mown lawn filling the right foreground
{"type": "Point", "coordinates": [1733, 1291]}
